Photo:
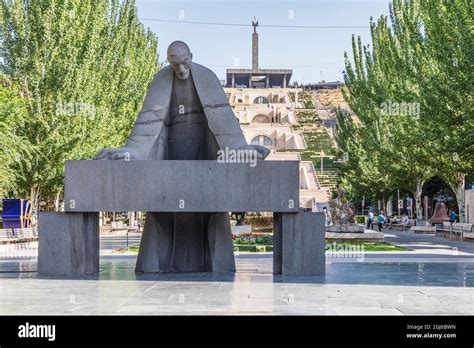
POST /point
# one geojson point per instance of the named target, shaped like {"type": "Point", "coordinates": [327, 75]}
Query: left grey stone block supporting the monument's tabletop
{"type": "Point", "coordinates": [68, 244]}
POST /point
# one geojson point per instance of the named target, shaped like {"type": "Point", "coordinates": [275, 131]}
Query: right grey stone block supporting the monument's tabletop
{"type": "Point", "coordinates": [299, 244]}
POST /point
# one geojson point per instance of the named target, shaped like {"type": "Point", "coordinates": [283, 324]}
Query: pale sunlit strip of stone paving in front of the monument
{"type": "Point", "coordinates": [181, 298]}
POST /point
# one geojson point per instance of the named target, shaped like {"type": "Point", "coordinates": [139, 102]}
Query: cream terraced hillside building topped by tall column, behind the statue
{"type": "Point", "coordinates": [295, 123]}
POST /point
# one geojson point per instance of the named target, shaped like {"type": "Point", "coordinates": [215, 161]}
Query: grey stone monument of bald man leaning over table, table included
{"type": "Point", "coordinates": [170, 167]}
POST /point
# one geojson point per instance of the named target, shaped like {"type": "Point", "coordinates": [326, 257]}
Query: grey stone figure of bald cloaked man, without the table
{"type": "Point", "coordinates": [185, 116]}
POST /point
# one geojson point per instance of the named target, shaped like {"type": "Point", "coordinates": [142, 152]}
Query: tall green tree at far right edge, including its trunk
{"type": "Point", "coordinates": [448, 89]}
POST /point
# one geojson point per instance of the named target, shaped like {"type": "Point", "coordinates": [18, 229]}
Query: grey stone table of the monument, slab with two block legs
{"type": "Point", "coordinates": [69, 241]}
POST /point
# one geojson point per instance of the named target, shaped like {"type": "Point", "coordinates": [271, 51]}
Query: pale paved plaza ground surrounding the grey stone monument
{"type": "Point", "coordinates": [436, 276]}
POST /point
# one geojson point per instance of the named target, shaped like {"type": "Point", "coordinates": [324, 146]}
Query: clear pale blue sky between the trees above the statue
{"type": "Point", "coordinates": [311, 53]}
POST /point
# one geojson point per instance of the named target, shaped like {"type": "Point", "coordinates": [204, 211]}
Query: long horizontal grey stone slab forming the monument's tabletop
{"type": "Point", "coordinates": [181, 186]}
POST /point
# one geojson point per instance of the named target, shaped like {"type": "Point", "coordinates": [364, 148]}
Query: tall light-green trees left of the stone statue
{"type": "Point", "coordinates": [83, 67]}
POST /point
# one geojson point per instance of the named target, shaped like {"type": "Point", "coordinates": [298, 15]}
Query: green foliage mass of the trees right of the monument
{"type": "Point", "coordinates": [412, 91]}
